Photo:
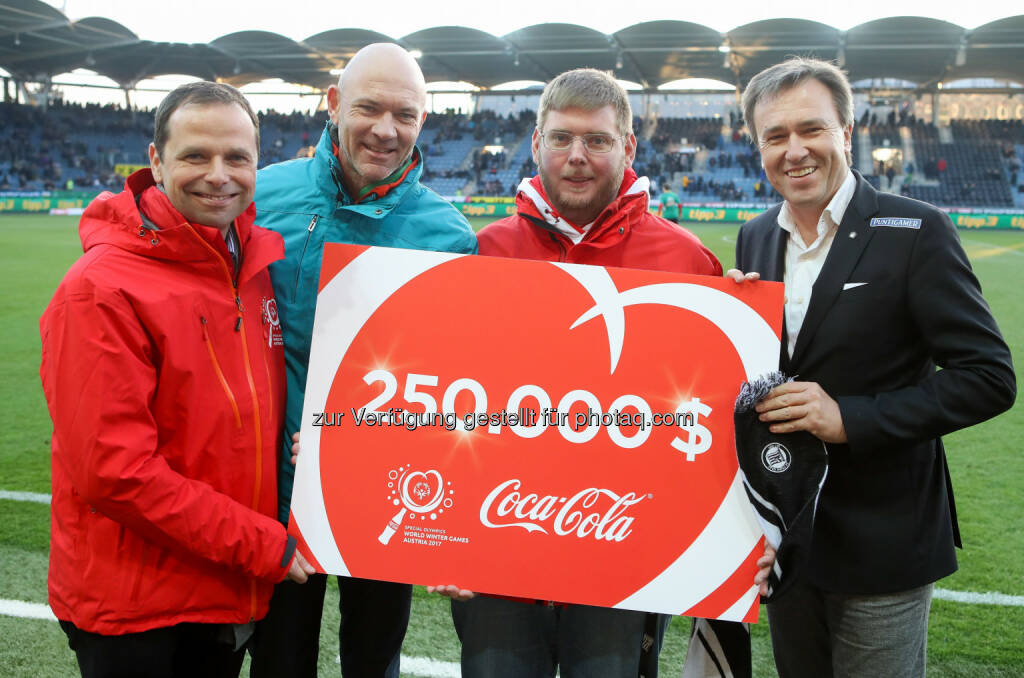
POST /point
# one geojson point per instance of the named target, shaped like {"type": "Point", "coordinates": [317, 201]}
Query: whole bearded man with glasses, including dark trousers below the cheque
{"type": "Point", "coordinates": [586, 206]}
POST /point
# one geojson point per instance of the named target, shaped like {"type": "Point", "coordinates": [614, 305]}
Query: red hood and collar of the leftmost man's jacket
{"type": "Point", "coordinates": [116, 220]}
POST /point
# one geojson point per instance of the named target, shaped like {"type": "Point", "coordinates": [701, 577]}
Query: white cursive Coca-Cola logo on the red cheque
{"type": "Point", "coordinates": [591, 513]}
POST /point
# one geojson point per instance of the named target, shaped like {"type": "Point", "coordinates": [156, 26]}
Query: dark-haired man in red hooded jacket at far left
{"type": "Point", "coordinates": [163, 371]}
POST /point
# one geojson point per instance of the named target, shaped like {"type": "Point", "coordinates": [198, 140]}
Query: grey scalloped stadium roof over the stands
{"type": "Point", "coordinates": [38, 41]}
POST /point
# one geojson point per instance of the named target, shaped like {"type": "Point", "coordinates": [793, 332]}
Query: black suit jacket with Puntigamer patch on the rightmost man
{"type": "Point", "coordinates": [886, 520]}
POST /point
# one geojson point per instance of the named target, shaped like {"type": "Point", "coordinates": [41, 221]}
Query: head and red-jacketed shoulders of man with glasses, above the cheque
{"type": "Point", "coordinates": [587, 205]}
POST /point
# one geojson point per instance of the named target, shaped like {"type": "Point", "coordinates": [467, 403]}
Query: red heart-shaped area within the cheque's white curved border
{"type": "Point", "coordinates": [542, 515]}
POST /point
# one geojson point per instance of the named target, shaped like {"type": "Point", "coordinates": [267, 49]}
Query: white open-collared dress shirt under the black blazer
{"type": "Point", "coordinates": [804, 263]}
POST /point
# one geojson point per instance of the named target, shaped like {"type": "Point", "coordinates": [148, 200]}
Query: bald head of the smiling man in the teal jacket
{"type": "Point", "coordinates": [379, 107]}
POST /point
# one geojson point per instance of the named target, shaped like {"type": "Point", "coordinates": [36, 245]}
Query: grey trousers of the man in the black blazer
{"type": "Point", "coordinates": [817, 634]}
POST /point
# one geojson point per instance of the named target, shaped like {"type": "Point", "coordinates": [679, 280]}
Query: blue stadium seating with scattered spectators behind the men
{"type": "Point", "coordinates": [975, 163]}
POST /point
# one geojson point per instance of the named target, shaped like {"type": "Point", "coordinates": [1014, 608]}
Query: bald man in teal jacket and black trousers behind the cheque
{"type": "Point", "coordinates": [362, 187]}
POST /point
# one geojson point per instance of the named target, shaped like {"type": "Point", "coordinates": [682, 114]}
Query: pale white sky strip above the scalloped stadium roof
{"type": "Point", "coordinates": [201, 21]}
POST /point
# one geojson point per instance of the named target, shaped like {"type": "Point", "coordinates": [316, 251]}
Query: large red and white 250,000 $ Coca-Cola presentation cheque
{"type": "Point", "coordinates": [536, 430]}
